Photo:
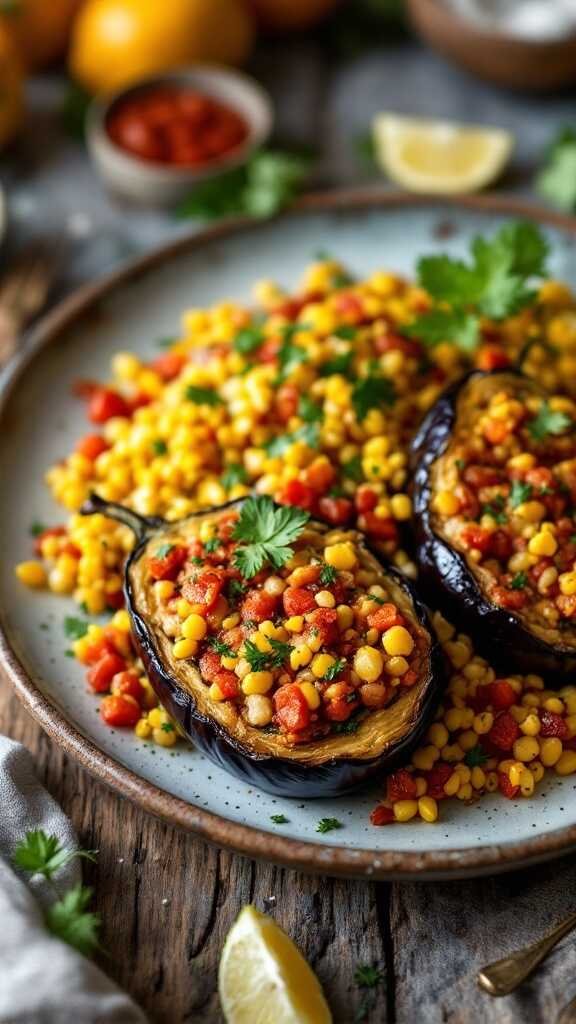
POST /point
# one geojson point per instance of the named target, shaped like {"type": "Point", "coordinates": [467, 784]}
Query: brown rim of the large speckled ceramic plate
{"type": "Point", "coordinates": [249, 841]}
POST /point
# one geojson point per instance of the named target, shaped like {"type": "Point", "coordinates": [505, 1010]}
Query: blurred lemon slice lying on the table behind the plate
{"type": "Point", "coordinates": [427, 156]}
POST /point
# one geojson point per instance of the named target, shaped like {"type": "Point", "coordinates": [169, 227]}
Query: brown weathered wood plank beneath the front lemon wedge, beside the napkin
{"type": "Point", "coordinates": [167, 955]}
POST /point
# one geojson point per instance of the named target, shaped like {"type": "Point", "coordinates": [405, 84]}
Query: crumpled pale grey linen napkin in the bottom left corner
{"type": "Point", "coordinates": [43, 980]}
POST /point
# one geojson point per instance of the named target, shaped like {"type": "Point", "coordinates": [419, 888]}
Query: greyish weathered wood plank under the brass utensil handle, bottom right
{"type": "Point", "coordinates": [445, 933]}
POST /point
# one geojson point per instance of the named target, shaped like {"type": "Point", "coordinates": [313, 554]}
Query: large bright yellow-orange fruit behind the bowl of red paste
{"type": "Point", "coordinates": [116, 42]}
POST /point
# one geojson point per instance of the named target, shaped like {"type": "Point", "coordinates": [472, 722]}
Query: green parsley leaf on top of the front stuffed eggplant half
{"type": "Point", "coordinates": [267, 531]}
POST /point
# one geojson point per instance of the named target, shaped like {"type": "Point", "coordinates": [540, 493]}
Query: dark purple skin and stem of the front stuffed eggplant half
{"type": "Point", "coordinates": [276, 775]}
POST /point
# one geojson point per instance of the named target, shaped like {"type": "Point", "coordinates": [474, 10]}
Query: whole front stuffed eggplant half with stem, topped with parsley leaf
{"type": "Point", "coordinates": [285, 651]}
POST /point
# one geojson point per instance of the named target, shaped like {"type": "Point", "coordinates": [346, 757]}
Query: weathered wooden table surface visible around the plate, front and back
{"type": "Point", "coordinates": [428, 940]}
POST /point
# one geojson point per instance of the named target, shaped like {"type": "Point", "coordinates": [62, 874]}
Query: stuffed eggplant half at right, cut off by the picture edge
{"type": "Point", "coordinates": [496, 509]}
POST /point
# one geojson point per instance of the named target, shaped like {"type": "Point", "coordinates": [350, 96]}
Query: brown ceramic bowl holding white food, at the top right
{"type": "Point", "coordinates": [518, 64]}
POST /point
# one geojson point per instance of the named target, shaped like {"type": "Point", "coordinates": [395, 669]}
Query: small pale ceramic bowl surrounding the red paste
{"type": "Point", "coordinates": [163, 185]}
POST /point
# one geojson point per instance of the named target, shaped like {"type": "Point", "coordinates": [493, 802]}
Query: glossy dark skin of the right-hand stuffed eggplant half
{"type": "Point", "coordinates": [447, 580]}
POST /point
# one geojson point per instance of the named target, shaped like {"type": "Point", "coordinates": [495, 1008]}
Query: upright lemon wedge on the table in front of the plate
{"type": "Point", "coordinates": [265, 979]}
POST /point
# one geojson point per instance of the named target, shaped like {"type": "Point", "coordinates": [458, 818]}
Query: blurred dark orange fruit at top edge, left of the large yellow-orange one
{"type": "Point", "coordinates": [40, 28]}
